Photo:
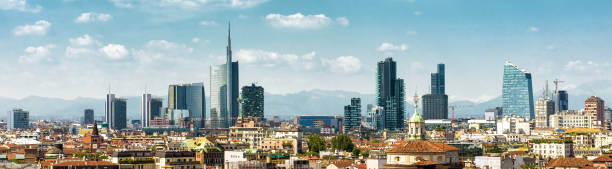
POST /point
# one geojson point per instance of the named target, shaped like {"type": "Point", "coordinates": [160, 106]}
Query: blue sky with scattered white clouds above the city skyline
{"type": "Point", "coordinates": [75, 48]}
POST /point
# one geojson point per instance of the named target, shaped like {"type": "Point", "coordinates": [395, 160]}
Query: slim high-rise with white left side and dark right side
{"type": "Point", "coordinates": [149, 109]}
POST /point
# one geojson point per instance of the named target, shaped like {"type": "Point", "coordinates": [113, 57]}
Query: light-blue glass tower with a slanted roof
{"type": "Point", "coordinates": [517, 92]}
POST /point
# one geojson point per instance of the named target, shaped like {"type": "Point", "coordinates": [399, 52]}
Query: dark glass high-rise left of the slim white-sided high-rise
{"type": "Point", "coordinates": [116, 112]}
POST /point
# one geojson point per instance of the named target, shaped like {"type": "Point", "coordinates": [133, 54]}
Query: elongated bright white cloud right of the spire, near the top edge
{"type": "Point", "coordinates": [300, 21]}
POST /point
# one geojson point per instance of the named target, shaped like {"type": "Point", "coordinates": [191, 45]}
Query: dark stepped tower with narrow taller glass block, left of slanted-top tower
{"type": "Point", "coordinates": [435, 105]}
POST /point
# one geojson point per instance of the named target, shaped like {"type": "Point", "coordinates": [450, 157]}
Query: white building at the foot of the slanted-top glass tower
{"type": "Point", "coordinates": [513, 124]}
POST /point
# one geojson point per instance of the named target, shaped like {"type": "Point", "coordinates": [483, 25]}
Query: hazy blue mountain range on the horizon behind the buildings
{"type": "Point", "coordinates": [312, 102]}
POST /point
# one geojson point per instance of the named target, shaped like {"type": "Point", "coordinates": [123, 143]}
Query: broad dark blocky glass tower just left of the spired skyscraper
{"type": "Point", "coordinates": [189, 97]}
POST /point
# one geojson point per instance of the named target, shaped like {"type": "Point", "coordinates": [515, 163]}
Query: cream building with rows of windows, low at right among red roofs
{"type": "Point", "coordinates": [548, 148]}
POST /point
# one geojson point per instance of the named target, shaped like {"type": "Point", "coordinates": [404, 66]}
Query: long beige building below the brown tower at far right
{"type": "Point", "coordinates": [573, 119]}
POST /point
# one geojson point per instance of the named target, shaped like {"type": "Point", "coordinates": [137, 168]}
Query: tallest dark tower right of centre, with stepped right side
{"type": "Point", "coordinates": [390, 95]}
